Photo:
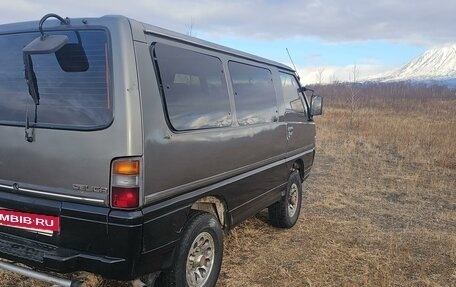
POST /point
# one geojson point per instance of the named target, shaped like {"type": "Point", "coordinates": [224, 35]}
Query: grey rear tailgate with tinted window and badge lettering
{"type": "Point", "coordinates": [67, 159]}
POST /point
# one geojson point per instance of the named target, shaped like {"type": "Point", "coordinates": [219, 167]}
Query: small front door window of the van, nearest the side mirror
{"type": "Point", "coordinates": [291, 96]}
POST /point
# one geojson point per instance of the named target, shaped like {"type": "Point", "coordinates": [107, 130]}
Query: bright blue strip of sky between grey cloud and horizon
{"type": "Point", "coordinates": [374, 55]}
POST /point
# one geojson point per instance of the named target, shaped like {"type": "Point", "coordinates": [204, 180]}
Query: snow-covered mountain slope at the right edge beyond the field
{"type": "Point", "coordinates": [437, 64]}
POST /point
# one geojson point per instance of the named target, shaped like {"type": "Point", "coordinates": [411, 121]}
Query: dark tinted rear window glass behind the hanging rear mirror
{"type": "Point", "coordinates": [73, 86]}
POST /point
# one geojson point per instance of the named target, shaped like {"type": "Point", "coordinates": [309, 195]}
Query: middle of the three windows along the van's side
{"type": "Point", "coordinates": [254, 94]}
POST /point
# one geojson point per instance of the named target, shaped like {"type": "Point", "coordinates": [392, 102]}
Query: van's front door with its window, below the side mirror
{"type": "Point", "coordinates": [300, 129]}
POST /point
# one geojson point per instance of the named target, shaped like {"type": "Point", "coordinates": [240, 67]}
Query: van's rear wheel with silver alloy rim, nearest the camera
{"type": "Point", "coordinates": [199, 254]}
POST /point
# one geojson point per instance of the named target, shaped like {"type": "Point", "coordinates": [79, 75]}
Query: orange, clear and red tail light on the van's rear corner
{"type": "Point", "coordinates": [126, 183]}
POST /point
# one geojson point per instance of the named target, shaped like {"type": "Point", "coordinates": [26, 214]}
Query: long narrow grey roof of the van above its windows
{"type": "Point", "coordinates": [146, 29]}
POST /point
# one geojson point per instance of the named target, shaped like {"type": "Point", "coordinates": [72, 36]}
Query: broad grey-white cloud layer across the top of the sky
{"type": "Point", "coordinates": [329, 20]}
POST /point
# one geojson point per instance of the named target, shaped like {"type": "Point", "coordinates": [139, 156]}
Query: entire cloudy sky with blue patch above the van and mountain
{"type": "Point", "coordinates": [325, 37]}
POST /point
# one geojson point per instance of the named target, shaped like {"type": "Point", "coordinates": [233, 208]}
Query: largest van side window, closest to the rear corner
{"type": "Point", "coordinates": [194, 88]}
